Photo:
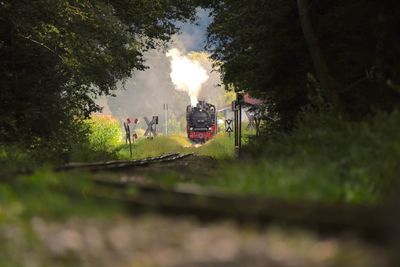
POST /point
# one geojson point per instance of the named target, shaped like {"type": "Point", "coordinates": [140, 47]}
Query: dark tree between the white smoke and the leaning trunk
{"type": "Point", "coordinates": [262, 50]}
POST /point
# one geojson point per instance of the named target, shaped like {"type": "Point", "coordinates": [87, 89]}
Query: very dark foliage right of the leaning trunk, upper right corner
{"type": "Point", "coordinates": [360, 41]}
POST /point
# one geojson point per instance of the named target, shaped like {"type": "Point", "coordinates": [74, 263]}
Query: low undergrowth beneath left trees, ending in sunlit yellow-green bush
{"type": "Point", "coordinates": [95, 139]}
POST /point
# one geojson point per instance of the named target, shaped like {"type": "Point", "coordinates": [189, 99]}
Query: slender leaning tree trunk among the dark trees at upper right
{"type": "Point", "coordinates": [321, 67]}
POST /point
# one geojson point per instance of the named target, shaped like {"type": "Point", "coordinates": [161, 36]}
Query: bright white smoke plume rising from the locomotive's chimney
{"type": "Point", "coordinates": [187, 75]}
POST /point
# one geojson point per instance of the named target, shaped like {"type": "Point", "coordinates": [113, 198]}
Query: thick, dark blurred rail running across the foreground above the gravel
{"type": "Point", "coordinates": [375, 223]}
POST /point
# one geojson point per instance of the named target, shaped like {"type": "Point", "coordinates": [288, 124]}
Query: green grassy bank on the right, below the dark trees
{"type": "Point", "coordinates": [326, 159]}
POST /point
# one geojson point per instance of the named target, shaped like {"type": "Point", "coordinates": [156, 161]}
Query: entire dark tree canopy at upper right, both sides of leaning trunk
{"type": "Point", "coordinates": [265, 49]}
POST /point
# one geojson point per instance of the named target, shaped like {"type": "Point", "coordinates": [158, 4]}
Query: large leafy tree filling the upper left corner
{"type": "Point", "coordinates": [56, 56]}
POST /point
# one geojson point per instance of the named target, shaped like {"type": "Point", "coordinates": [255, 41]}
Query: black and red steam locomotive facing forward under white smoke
{"type": "Point", "coordinates": [201, 122]}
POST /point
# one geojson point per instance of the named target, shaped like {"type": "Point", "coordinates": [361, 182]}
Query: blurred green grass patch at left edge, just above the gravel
{"type": "Point", "coordinates": [48, 194]}
